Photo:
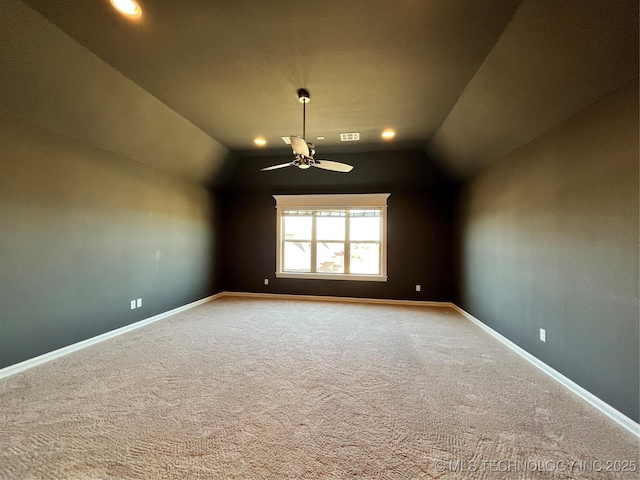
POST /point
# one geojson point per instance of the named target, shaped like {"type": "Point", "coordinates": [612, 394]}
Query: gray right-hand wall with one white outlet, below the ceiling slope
{"type": "Point", "coordinates": [549, 239]}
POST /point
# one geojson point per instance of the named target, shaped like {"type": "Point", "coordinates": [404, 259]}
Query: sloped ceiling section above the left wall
{"type": "Point", "coordinates": [48, 78]}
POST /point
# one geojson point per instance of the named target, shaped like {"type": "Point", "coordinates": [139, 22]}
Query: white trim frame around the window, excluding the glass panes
{"type": "Point", "coordinates": [346, 201]}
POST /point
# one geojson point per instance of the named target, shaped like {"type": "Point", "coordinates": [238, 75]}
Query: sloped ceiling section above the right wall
{"type": "Point", "coordinates": [553, 59]}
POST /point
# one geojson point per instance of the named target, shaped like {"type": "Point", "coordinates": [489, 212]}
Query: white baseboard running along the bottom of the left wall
{"type": "Point", "coordinates": [47, 357]}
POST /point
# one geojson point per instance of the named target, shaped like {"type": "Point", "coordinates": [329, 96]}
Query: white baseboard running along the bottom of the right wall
{"type": "Point", "coordinates": [587, 396]}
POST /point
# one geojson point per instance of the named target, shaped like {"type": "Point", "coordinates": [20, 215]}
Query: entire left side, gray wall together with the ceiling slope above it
{"type": "Point", "coordinates": [84, 230]}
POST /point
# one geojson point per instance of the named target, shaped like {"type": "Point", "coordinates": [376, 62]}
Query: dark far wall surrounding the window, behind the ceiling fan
{"type": "Point", "coordinates": [420, 224]}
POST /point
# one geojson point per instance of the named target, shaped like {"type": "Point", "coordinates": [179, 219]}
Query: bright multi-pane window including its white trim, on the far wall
{"type": "Point", "coordinates": [339, 237]}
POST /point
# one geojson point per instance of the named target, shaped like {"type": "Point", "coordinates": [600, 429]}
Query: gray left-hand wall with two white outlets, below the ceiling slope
{"type": "Point", "coordinates": [84, 231]}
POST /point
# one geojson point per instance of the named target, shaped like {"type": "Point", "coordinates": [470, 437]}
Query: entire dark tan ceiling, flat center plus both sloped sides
{"type": "Point", "coordinates": [467, 80]}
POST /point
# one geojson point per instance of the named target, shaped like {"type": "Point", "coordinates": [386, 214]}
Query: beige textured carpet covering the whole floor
{"type": "Point", "coordinates": [277, 389]}
